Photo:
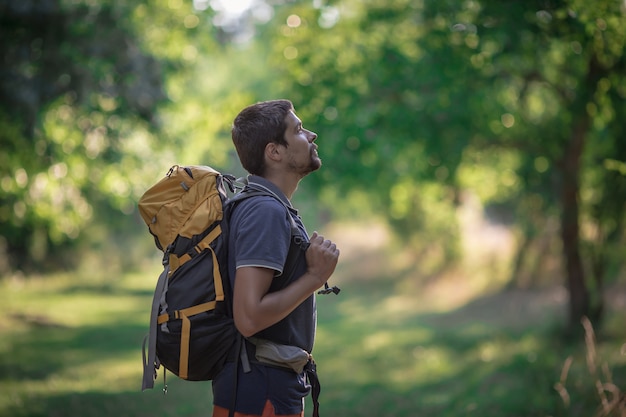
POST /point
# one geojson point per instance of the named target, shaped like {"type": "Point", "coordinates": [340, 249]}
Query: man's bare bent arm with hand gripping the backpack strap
{"type": "Point", "coordinates": [255, 309]}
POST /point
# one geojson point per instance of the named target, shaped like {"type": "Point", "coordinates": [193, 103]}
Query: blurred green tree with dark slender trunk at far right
{"type": "Point", "coordinates": [559, 70]}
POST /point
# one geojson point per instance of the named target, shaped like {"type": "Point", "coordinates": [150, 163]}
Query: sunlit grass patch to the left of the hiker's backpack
{"type": "Point", "coordinates": [64, 336]}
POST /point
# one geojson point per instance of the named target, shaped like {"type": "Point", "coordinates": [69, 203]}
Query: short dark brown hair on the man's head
{"type": "Point", "coordinates": [255, 127]}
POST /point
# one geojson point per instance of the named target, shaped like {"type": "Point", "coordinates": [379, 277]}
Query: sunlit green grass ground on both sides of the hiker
{"type": "Point", "coordinates": [70, 345]}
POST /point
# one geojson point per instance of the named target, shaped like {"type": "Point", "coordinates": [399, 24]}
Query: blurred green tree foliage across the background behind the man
{"type": "Point", "coordinates": [415, 103]}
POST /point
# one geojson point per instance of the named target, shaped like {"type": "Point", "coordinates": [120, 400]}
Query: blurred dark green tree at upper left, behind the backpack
{"type": "Point", "coordinates": [80, 86]}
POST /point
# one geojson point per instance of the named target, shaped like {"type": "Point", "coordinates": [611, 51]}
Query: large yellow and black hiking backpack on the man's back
{"type": "Point", "coordinates": [192, 332]}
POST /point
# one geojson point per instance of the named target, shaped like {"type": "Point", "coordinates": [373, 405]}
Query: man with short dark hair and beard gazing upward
{"type": "Point", "coordinates": [277, 152]}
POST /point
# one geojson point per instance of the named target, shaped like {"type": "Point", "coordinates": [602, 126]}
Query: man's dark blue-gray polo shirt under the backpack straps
{"type": "Point", "coordinates": [260, 236]}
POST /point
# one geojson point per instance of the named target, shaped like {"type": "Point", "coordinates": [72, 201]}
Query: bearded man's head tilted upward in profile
{"type": "Point", "coordinates": [268, 125]}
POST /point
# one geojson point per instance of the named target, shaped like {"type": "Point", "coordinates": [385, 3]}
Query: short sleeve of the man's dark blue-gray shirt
{"type": "Point", "coordinates": [262, 234]}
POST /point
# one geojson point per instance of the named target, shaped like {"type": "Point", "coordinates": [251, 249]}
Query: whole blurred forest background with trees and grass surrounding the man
{"type": "Point", "coordinates": [474, 176]}
